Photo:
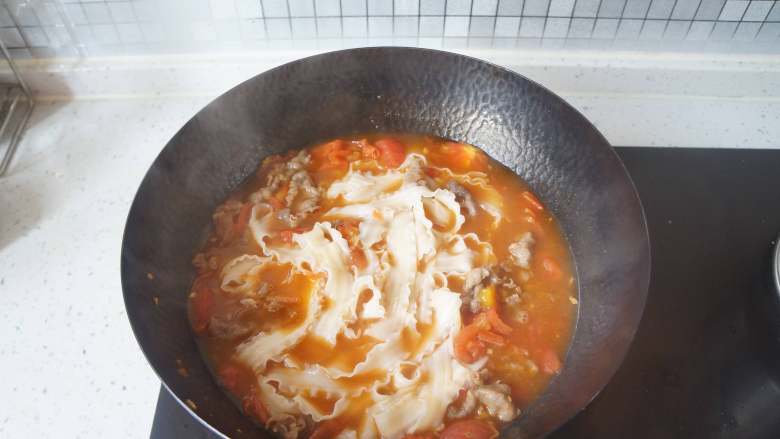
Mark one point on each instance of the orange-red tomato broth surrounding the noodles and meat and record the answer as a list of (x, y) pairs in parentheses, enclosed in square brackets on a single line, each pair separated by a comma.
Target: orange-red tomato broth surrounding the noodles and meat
[(541, 322)]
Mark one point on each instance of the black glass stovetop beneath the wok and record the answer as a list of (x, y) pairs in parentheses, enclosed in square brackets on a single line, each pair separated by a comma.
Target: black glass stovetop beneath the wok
[(704, 363)]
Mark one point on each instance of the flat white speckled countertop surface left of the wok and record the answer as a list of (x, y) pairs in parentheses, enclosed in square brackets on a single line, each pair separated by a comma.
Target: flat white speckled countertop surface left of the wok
[(70, 364)]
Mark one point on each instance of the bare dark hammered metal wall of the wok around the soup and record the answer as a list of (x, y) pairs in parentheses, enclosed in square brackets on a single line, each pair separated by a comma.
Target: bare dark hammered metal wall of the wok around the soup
[(518, 122)]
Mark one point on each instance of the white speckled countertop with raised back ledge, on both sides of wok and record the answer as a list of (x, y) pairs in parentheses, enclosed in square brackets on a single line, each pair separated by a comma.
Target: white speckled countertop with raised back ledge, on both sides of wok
[(70, 363)]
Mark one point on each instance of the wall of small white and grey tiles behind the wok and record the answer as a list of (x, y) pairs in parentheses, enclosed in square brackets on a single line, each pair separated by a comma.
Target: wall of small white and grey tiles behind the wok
[(54, 27)]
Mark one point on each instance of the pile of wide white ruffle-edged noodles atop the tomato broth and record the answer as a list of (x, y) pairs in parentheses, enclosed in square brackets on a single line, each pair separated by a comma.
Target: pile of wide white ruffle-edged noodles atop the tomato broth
[(410, 237)]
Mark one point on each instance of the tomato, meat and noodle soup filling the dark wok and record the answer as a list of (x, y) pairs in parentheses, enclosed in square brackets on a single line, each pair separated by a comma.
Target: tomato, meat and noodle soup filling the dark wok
[(384, 286)]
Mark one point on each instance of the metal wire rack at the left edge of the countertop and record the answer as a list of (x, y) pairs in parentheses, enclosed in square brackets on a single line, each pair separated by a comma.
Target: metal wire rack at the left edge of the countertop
[(15, 110)]
